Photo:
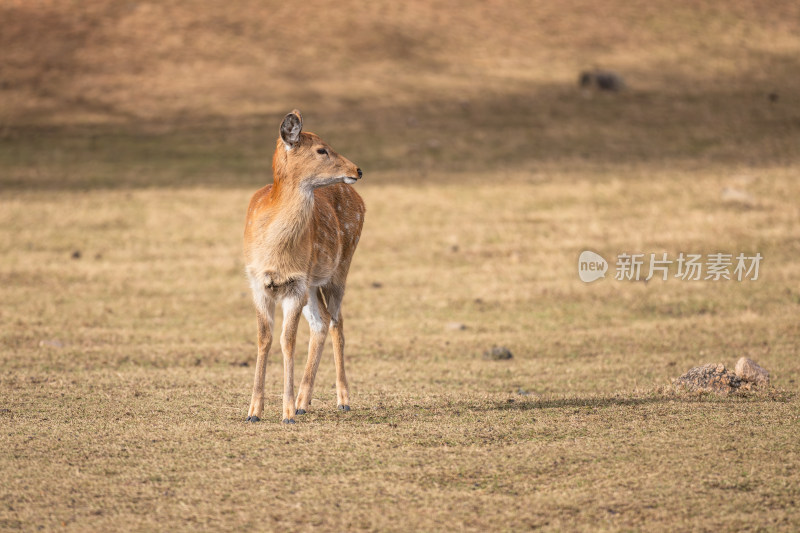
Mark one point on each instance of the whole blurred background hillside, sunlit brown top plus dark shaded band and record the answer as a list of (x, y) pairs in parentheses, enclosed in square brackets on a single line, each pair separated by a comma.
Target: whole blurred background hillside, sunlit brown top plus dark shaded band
[(185, 92)]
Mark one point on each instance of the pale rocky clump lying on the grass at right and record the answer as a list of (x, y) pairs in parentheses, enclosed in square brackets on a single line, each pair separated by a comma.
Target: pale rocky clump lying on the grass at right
[(748, 375)]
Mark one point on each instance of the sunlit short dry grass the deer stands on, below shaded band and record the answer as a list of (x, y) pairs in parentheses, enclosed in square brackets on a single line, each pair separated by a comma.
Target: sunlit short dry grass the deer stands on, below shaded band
[(124, 387)]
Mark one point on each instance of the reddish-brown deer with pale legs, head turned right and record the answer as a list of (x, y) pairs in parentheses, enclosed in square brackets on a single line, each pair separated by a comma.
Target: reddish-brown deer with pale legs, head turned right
[(299, 239)]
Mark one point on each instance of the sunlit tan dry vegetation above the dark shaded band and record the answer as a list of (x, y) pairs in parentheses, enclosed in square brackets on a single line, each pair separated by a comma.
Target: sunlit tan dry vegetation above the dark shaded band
[(100, 60)]
